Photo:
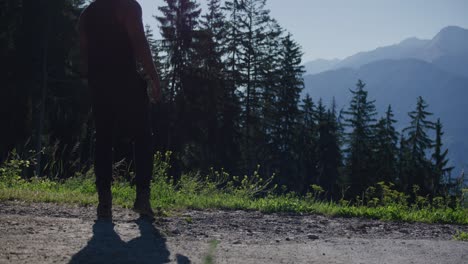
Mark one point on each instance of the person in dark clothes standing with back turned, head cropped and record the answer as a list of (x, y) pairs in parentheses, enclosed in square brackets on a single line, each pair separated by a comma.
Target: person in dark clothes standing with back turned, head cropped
[(112, 40)]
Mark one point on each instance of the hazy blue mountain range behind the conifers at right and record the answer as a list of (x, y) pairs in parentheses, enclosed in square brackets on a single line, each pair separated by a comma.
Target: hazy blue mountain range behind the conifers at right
[(436, 69)]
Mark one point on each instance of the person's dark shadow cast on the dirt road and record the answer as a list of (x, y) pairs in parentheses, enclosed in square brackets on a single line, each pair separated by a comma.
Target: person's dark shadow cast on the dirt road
[(106, 246)]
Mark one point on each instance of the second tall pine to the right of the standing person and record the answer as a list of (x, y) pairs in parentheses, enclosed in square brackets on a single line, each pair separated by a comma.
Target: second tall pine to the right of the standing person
[(213, 51)]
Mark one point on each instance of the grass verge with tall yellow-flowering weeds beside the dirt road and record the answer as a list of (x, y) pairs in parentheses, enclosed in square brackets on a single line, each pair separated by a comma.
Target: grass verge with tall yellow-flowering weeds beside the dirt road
[(217, 191)]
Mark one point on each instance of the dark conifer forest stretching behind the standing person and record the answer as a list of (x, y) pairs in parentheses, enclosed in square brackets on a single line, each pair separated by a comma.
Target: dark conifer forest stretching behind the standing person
[(232, 80)]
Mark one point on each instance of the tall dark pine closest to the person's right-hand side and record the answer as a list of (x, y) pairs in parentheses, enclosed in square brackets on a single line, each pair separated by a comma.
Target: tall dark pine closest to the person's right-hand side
[(178, 25)]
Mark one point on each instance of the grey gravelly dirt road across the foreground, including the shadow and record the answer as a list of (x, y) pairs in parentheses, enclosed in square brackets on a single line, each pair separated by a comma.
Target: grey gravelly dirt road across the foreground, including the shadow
[(49, 233)]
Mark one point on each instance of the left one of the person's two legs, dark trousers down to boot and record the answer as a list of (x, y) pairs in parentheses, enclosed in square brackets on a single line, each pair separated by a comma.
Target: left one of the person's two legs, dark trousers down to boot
[(103, 160)]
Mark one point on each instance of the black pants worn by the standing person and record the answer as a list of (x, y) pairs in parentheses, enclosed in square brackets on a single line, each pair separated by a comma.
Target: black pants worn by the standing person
[(122, 112)]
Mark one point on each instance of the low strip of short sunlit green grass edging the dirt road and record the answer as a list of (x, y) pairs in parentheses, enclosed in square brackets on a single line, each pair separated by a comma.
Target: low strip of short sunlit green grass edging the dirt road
[(190, 195)]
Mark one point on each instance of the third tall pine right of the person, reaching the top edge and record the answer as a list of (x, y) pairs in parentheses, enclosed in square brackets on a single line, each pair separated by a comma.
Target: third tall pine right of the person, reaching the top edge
[(248, 34)]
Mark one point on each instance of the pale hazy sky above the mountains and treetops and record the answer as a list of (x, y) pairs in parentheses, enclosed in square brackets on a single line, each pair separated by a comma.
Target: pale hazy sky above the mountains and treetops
[(339, 28)]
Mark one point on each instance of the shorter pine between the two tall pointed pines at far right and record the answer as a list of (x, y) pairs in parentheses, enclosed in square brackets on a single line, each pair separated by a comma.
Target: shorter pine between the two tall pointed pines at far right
[(386, 150)]
